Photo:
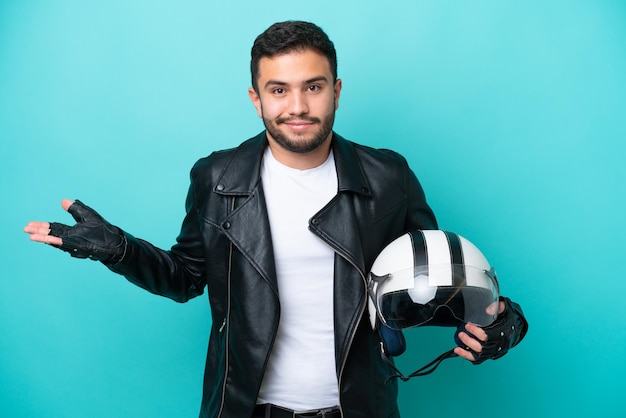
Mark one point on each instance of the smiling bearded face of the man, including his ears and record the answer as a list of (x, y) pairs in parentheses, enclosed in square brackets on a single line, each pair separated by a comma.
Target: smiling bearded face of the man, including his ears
[(297, 100)]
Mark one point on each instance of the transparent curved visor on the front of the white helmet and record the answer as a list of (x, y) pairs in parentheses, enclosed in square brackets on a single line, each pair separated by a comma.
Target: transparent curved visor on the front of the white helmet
[(413, 297)]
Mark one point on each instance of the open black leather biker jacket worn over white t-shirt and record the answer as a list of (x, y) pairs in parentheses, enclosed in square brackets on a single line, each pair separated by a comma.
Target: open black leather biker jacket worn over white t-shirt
[(225, 244)]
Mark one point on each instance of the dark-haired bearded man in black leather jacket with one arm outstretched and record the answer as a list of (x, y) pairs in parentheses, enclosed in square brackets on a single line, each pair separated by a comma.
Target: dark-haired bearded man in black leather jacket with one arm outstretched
[(282, 231)]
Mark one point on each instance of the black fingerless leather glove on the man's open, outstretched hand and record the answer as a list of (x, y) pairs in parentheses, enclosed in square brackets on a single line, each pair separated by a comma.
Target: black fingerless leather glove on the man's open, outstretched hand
[(92, 237)]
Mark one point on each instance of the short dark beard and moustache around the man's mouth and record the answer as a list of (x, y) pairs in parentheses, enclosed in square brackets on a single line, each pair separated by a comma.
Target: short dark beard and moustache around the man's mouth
[(300, 143)]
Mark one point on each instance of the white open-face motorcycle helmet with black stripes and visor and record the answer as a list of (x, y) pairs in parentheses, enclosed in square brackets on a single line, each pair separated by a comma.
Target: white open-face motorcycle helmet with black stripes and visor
[(425, 271)]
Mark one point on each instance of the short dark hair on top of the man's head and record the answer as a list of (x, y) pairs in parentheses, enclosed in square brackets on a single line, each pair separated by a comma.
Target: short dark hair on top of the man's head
[(290, 36)]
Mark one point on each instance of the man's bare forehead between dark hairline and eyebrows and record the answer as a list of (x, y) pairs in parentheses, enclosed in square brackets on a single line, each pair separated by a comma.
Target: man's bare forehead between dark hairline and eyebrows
[(295, 66)]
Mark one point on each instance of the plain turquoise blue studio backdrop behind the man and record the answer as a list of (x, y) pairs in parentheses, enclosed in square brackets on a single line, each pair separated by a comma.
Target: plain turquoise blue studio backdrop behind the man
[(511, 113)]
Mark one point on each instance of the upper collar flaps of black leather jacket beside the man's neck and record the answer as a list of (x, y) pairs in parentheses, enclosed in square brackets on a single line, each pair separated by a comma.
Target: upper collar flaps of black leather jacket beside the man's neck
[(242, 174)]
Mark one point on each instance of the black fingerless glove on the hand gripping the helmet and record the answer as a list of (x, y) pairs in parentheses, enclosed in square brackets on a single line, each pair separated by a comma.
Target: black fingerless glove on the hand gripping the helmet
[(504, 333)]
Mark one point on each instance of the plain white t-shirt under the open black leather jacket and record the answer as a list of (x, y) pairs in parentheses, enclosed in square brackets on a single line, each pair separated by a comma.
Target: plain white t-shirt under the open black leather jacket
[(301, 371)]
